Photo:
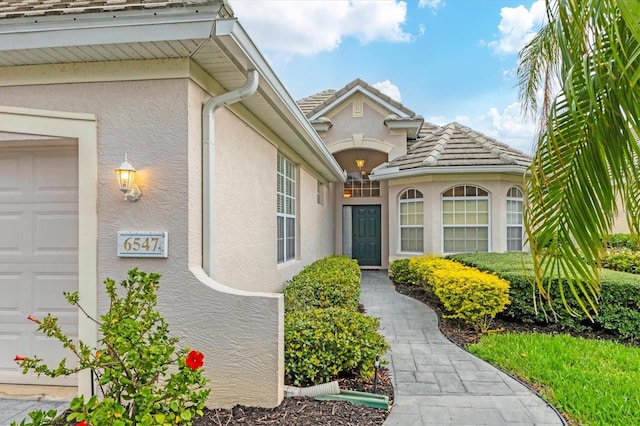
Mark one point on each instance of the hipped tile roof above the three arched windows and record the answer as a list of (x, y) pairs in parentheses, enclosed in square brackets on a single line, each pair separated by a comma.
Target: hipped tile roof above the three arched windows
[(457, 145)]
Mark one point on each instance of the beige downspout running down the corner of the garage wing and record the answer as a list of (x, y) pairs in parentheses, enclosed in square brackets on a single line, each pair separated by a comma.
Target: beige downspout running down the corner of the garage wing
[(208, 163)]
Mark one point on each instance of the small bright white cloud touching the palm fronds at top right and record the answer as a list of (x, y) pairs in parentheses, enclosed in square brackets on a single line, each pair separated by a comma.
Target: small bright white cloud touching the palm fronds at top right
[(517, 27)]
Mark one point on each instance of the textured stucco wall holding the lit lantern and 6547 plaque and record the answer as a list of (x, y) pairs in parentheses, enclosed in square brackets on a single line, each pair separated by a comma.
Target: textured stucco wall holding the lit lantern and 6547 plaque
[(240, 335)]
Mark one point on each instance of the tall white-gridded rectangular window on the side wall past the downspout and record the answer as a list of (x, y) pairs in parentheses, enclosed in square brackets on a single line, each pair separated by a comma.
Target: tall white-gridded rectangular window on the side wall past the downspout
[(286, 216)]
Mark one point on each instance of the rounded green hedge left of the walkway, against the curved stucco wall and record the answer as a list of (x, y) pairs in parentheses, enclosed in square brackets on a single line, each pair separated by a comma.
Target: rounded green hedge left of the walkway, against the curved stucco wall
[(325, 334)]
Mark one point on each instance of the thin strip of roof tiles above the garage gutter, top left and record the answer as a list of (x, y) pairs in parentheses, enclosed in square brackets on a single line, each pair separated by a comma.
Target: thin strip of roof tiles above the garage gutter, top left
[(32, 8)]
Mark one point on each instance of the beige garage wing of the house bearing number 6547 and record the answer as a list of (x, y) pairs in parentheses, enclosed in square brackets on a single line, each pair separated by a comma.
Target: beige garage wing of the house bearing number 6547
[(234, 180)]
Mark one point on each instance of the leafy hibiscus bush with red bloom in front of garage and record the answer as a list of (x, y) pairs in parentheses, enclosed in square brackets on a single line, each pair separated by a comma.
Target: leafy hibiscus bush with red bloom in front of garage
[(131, 364)]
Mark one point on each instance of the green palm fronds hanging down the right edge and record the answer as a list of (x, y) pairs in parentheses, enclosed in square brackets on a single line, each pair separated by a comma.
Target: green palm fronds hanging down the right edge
[(588, 147)]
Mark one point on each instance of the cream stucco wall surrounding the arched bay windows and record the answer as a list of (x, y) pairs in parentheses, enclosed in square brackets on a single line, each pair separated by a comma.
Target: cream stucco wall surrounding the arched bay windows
[(432, 187)]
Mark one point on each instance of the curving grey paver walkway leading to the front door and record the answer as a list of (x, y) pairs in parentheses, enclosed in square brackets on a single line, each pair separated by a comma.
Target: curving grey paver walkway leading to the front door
[(436, 382)]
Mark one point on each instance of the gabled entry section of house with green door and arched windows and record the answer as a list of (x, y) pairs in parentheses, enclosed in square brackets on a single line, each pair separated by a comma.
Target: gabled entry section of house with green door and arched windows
[(413, 187)]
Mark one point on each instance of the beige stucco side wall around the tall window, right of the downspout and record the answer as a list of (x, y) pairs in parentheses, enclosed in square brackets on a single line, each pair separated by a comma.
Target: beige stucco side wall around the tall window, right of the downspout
[(245, 225)]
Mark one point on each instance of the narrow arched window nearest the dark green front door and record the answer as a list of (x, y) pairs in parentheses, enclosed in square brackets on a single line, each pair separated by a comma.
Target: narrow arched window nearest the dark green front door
[(411, 221)]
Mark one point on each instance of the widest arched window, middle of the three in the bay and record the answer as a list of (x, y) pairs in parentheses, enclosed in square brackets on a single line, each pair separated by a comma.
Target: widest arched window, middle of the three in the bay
[(465, 219)]
